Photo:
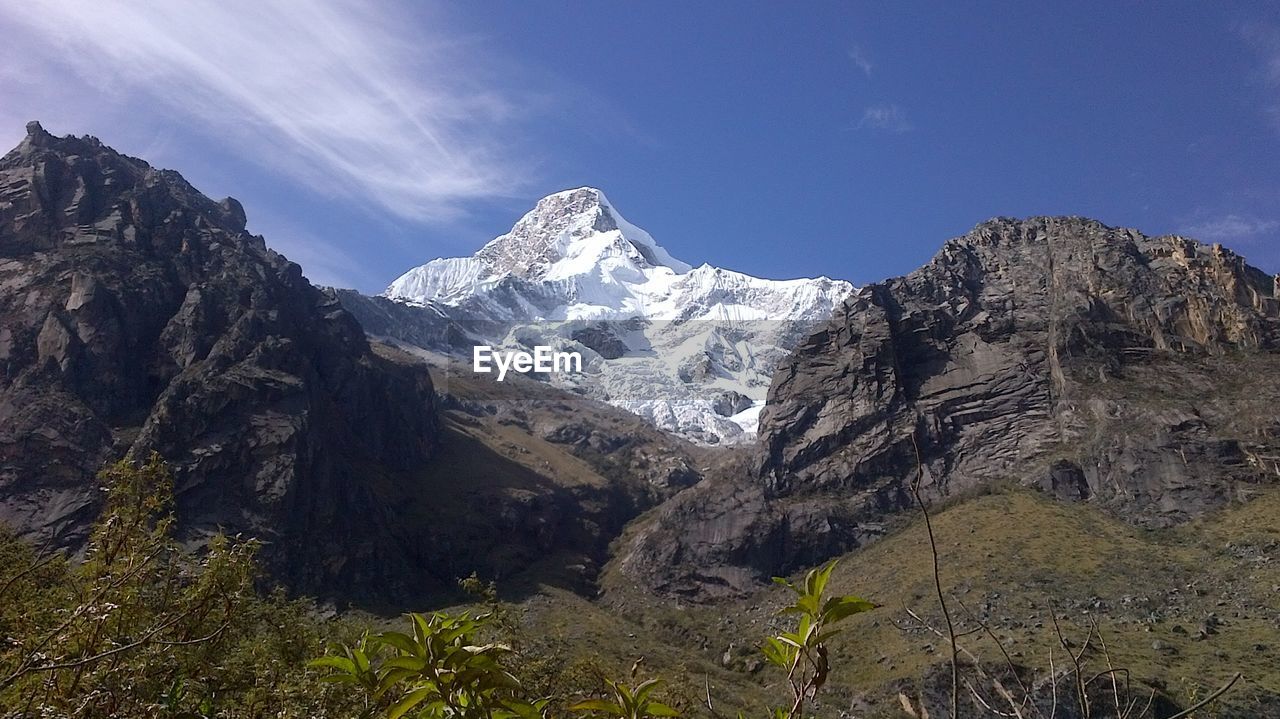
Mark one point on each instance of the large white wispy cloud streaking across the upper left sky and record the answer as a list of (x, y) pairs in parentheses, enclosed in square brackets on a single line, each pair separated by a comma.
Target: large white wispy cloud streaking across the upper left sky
[(350, 99)]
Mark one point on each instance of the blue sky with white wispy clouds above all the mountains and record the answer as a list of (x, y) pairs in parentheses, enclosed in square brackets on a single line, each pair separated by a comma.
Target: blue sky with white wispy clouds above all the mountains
[(776, 139)]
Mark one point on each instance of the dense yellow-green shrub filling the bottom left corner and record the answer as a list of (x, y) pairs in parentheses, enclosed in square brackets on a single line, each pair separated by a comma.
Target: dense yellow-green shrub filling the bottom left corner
[(144, 629)]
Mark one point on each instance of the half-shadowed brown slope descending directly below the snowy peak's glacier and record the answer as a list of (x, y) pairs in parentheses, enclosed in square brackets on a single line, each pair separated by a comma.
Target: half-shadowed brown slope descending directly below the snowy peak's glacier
[(533, 484)]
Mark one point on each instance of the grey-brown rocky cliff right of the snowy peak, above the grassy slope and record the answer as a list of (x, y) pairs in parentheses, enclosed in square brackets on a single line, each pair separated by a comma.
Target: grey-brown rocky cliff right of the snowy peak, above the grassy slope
[(1094, 363)]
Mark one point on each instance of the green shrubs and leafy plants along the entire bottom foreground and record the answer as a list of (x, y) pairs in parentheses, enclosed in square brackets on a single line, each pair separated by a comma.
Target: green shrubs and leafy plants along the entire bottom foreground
[(143, 629)]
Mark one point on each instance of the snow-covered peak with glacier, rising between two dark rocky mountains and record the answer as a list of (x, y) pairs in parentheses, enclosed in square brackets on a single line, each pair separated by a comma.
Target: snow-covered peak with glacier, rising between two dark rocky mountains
[(692, 350)]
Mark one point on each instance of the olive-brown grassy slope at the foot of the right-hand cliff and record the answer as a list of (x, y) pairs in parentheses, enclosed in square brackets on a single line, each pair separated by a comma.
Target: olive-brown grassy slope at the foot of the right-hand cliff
[(1007, 557)]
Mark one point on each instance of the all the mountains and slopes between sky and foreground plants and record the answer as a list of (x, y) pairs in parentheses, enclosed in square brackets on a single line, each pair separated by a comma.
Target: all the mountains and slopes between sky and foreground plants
[(1089, 414)]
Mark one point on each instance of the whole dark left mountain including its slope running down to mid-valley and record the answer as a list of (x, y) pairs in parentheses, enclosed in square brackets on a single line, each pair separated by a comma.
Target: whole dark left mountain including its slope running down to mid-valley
[(139, 315)]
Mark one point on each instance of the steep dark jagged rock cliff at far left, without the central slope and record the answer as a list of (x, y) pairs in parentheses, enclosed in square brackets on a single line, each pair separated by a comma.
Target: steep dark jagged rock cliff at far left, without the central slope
[(138, 315)]
